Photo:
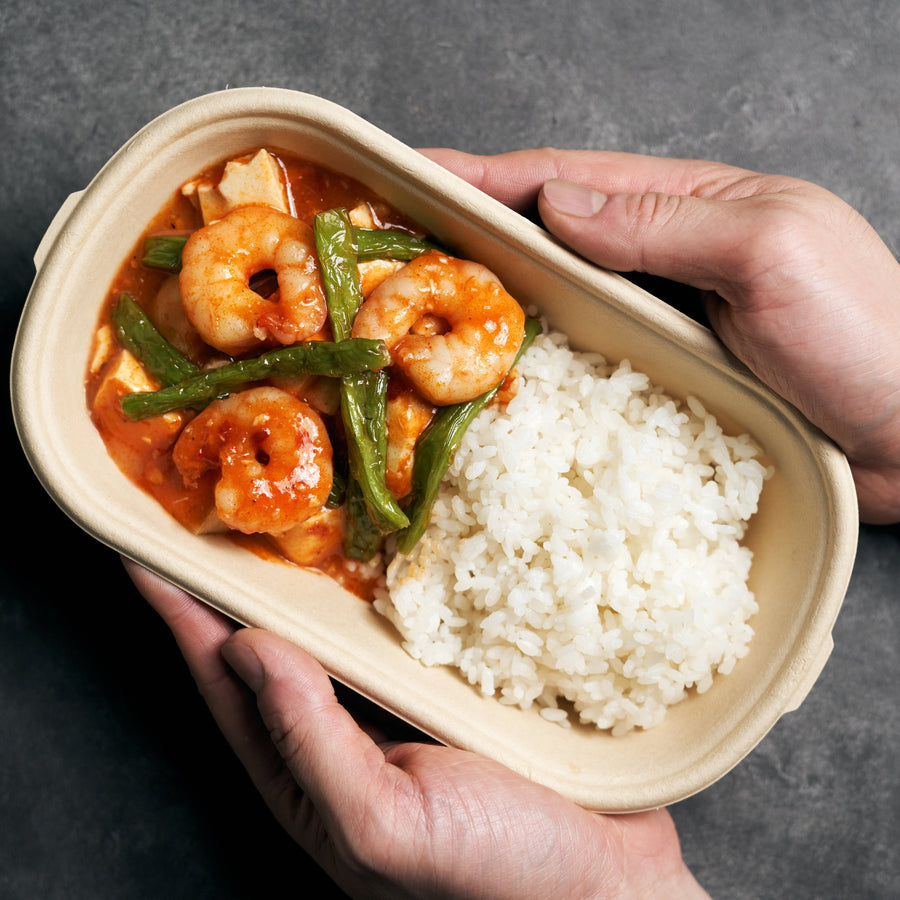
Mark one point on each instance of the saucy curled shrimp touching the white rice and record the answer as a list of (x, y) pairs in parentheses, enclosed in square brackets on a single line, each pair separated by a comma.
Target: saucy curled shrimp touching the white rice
[(485, 323)]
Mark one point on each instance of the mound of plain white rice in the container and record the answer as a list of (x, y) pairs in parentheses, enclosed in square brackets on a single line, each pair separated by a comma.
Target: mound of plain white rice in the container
[(584, 553)]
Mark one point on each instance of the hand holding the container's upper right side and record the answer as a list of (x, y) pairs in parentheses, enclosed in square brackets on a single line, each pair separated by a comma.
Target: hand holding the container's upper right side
[(797, 284)]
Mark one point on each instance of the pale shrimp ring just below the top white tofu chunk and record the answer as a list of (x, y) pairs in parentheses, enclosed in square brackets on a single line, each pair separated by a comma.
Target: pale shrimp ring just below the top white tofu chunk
[(217, 263)]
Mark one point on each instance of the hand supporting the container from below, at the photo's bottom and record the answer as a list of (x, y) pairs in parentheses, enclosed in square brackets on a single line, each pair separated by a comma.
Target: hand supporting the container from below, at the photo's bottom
[(389, 818)]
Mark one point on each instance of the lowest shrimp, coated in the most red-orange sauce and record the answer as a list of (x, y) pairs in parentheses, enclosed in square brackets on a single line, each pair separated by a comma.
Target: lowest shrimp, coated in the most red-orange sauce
[(271, 453)]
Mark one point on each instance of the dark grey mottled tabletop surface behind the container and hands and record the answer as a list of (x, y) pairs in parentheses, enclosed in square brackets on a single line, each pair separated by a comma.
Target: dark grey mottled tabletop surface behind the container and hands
[(113, 782)]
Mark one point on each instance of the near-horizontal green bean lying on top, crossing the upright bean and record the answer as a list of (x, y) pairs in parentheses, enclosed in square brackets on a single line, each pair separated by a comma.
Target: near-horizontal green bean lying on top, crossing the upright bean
[(312, 358)]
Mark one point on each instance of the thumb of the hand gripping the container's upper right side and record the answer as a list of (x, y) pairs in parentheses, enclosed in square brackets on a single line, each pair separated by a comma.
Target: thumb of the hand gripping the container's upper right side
[(686, 239)]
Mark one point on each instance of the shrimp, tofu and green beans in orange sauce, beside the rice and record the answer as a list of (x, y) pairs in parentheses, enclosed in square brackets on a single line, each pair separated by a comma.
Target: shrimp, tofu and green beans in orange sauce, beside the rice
[(287, 360)]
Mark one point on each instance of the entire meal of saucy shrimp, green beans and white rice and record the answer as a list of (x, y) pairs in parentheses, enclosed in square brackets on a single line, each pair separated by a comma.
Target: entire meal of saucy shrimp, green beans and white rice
[(288, 363)]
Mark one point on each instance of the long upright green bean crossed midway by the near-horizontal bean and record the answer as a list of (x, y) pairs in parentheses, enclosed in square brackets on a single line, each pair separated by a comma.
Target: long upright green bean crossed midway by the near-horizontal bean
[(363, 396)]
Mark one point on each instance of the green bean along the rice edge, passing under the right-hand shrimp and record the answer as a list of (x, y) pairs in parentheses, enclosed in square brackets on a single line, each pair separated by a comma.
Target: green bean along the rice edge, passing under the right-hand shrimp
[(435, 449)]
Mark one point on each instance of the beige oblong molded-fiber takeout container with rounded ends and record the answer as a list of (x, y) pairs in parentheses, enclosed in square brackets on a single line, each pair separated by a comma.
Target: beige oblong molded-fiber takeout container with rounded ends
[(803, 537)]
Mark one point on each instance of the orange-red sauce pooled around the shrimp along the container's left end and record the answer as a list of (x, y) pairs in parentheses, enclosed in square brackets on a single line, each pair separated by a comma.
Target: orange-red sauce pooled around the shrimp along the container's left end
[(142, 449)]
